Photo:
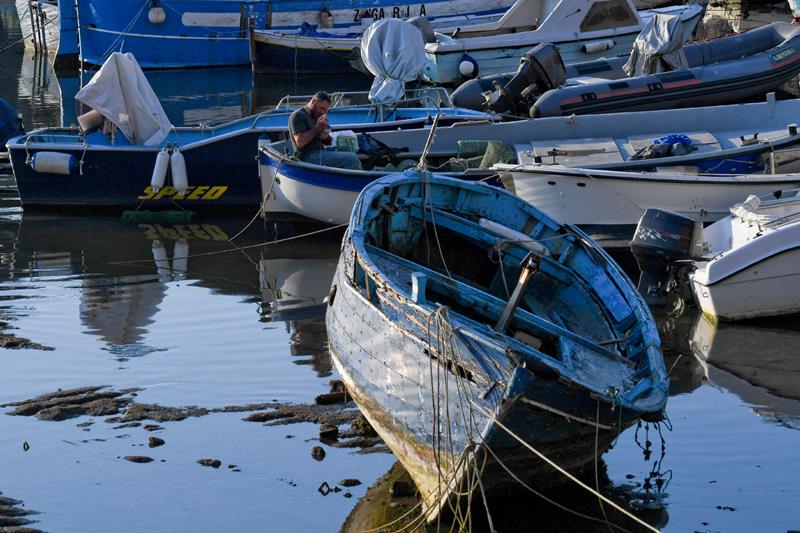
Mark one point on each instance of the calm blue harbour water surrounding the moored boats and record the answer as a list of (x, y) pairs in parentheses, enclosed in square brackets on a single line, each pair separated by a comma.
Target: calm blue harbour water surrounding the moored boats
[(246, 325)]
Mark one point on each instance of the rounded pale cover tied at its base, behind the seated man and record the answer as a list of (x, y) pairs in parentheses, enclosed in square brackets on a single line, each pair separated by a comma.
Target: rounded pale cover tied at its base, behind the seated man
[(394, 51)]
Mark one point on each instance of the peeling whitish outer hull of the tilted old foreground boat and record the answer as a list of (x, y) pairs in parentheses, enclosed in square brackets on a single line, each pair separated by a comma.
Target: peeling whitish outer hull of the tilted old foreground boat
[(394, 393)]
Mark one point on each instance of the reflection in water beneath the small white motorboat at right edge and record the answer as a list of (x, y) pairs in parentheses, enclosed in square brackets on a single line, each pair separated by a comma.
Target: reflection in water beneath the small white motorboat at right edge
[(759, 364)]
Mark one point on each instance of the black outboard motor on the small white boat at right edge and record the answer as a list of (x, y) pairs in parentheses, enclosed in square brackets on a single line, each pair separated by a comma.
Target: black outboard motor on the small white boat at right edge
[(663, 241)]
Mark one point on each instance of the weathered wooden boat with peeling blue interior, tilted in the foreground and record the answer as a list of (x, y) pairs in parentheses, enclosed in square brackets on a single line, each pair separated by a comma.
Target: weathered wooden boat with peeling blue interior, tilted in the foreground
[(465, 322)]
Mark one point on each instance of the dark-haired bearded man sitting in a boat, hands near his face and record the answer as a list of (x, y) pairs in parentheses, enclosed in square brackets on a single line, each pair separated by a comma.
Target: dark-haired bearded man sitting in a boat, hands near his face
[(309, 131)]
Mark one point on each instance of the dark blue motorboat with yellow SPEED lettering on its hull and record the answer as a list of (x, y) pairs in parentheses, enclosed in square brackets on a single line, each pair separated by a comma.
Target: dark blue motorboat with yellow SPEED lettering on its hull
[(94, 169)]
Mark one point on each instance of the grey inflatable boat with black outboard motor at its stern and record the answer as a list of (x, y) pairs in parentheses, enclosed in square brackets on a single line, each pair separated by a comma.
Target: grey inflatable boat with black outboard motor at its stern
[(725, 70)]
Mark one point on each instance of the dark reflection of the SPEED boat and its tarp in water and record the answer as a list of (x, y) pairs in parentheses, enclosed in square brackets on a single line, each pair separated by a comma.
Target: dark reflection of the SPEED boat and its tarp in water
[(124, 269)]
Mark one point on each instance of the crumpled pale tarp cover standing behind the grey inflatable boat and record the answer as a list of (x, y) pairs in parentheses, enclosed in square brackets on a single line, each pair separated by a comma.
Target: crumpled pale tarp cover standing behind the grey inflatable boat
[(658, 47)]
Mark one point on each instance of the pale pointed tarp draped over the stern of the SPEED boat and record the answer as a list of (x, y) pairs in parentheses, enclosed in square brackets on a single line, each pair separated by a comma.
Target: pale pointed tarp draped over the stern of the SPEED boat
[(120, 92)]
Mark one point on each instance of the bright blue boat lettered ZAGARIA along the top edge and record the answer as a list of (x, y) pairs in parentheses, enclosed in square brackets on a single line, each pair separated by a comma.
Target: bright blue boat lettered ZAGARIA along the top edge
[(197, 33)]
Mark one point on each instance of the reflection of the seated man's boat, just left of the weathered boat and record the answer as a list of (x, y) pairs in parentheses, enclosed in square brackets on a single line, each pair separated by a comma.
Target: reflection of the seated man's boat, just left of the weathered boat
[(295, 277)]
